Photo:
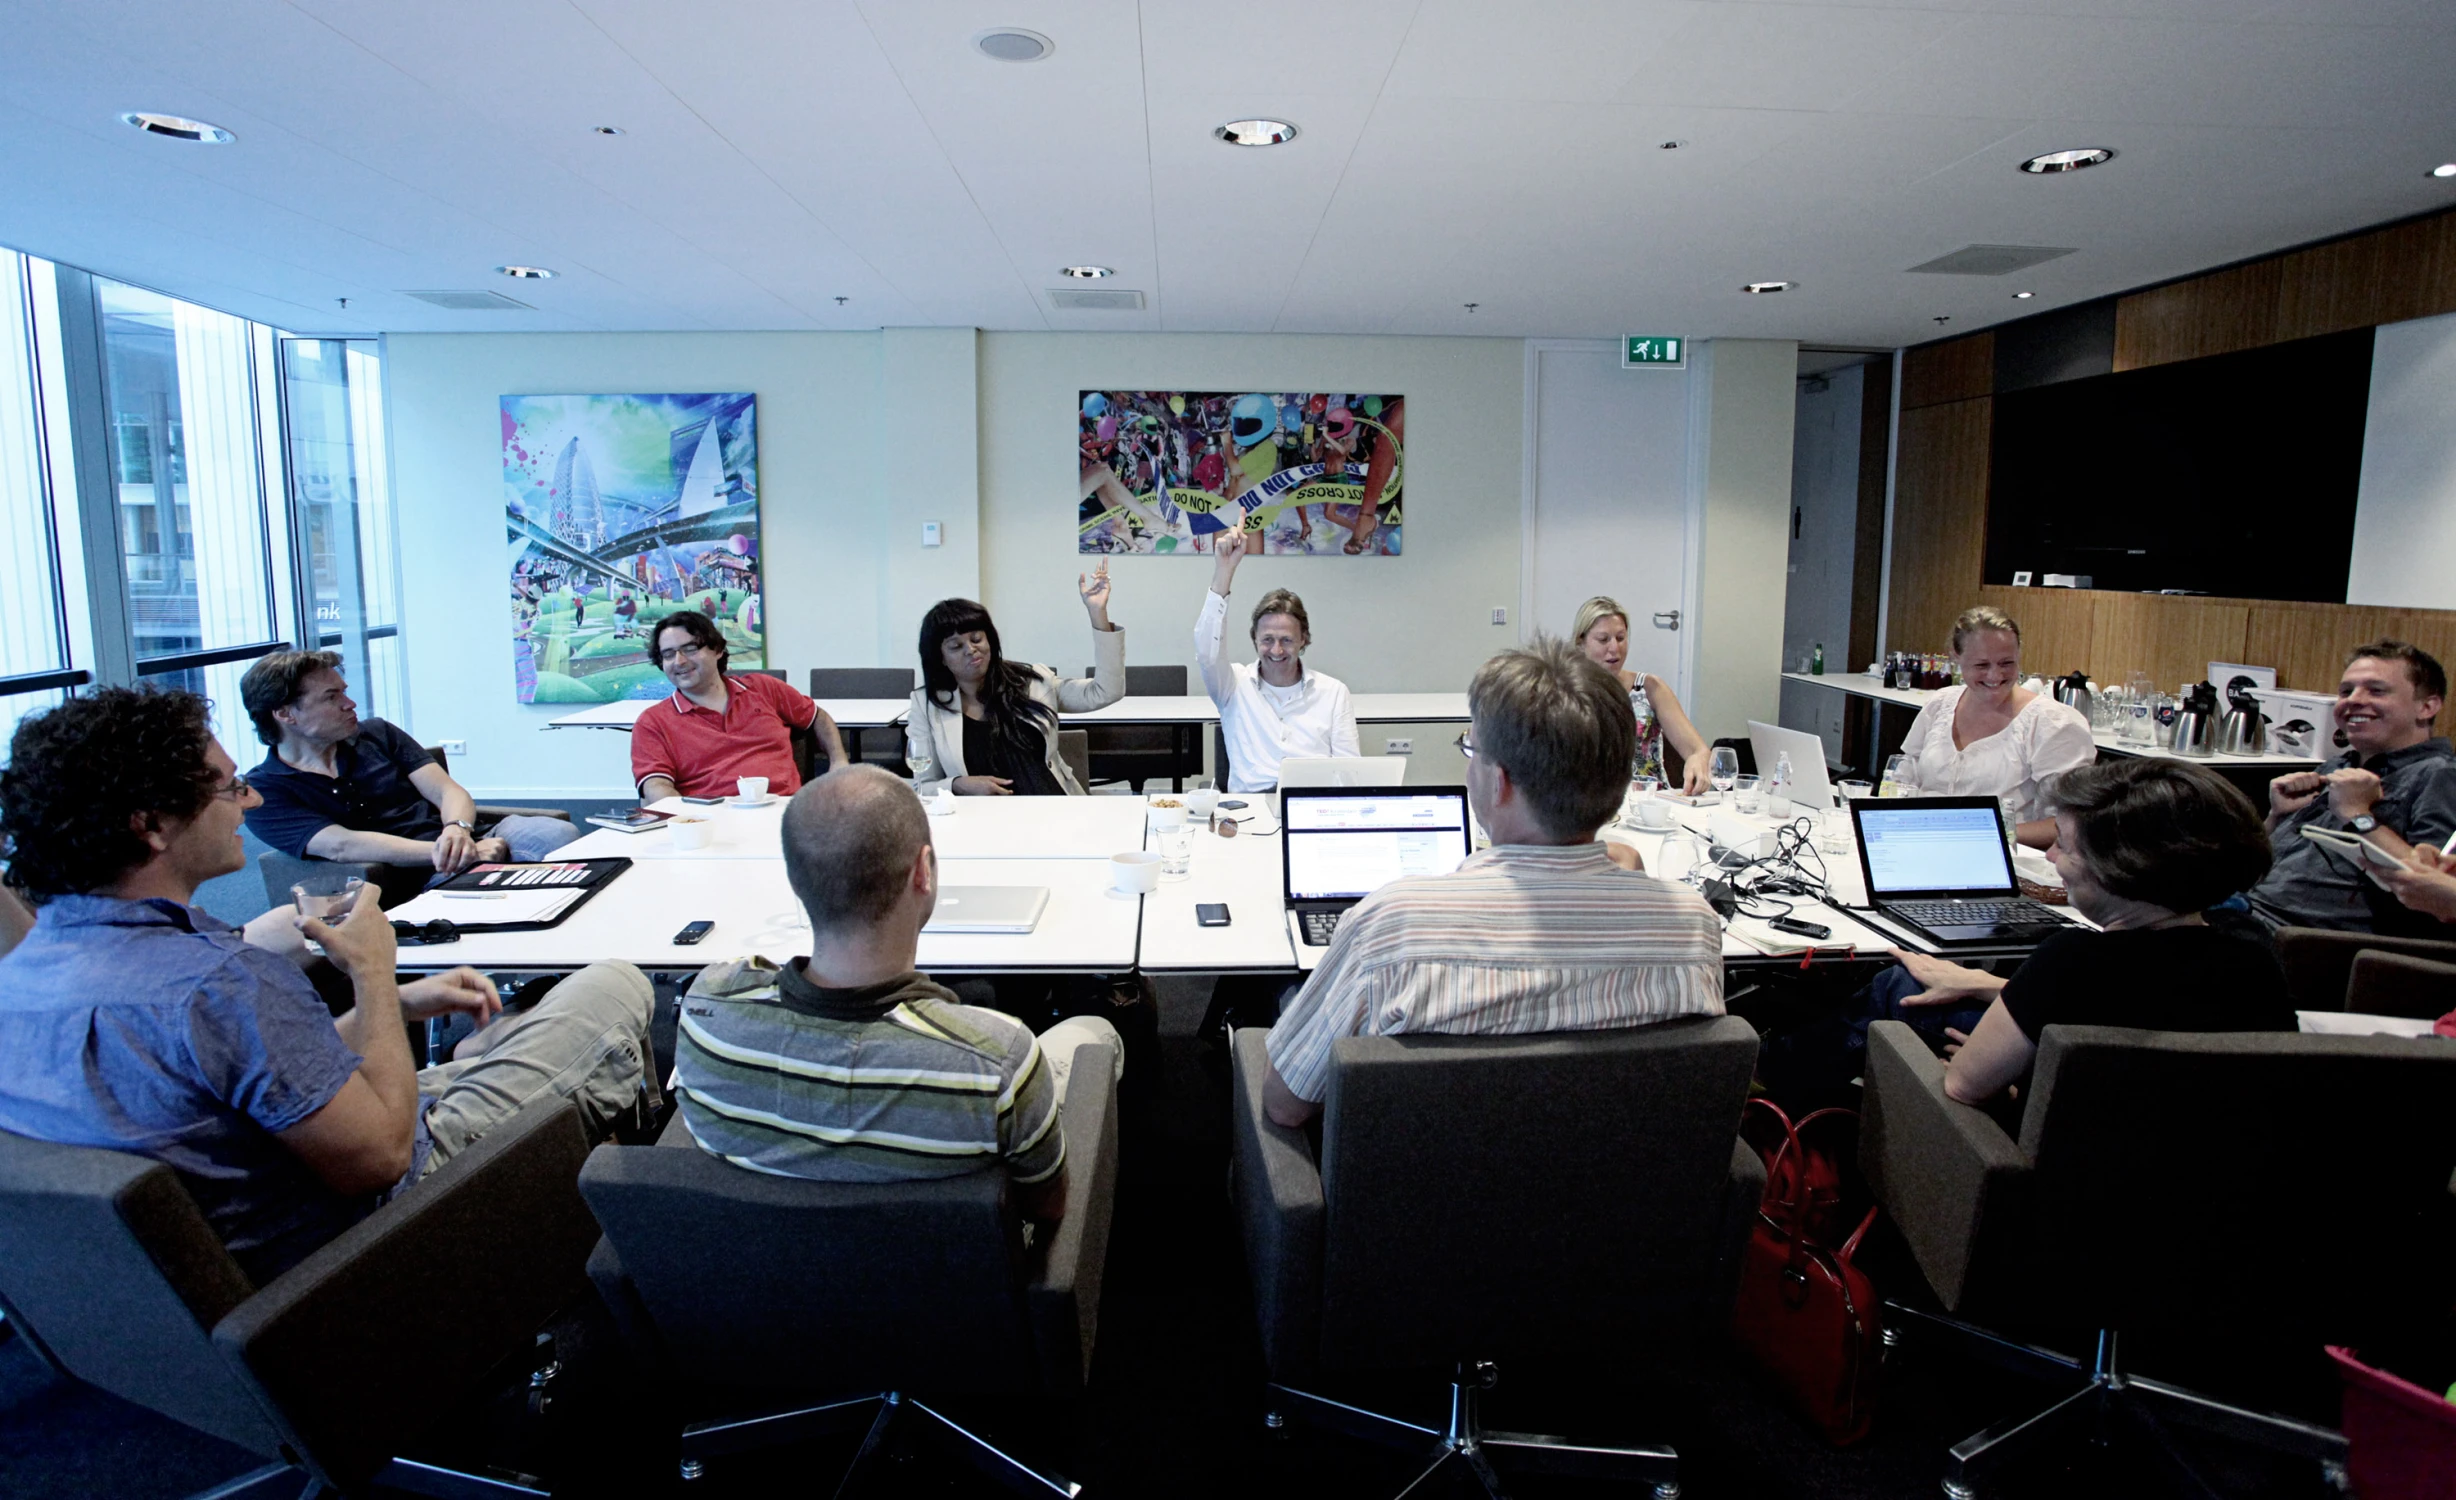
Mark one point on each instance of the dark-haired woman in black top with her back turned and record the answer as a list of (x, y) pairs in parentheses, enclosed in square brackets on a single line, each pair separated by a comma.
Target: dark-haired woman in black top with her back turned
[(2145, 851)]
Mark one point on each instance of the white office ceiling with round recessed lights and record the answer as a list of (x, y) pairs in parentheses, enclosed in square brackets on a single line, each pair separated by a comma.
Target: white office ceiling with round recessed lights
[(782, 156)]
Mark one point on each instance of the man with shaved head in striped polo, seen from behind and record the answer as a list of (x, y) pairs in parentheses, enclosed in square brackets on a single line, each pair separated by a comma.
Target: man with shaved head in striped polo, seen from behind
[(851, 1064)]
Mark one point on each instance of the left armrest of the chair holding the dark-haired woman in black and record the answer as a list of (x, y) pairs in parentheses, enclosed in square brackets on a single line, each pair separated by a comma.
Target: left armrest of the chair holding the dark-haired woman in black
[(1949, 1175)]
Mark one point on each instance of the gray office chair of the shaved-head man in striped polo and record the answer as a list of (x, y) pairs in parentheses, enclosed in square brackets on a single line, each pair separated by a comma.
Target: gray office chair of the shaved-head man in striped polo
[(853, 1300)]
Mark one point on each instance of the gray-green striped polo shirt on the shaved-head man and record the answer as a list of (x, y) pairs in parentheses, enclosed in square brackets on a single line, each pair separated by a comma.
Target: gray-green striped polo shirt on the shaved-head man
[(861, 1086)]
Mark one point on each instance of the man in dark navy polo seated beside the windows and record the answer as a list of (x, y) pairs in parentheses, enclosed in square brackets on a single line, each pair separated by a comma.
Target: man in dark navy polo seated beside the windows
[(338, 787)]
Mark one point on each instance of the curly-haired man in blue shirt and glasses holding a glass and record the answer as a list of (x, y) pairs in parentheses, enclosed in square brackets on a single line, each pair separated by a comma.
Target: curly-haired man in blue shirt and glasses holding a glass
[(136, 1023)]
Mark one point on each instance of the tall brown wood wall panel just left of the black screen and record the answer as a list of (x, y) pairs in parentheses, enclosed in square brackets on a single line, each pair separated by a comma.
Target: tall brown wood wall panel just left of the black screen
[(1939, 522)]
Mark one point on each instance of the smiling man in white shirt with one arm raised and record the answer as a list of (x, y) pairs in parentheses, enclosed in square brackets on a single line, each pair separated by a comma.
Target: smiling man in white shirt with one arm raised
[(1273, 708)]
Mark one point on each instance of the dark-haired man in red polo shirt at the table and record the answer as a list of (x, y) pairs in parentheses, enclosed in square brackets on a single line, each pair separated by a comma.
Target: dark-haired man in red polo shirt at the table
[(716, 728)]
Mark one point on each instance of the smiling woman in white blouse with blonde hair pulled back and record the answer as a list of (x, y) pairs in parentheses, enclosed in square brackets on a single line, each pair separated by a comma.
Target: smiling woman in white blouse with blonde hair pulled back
[(1991, 738)]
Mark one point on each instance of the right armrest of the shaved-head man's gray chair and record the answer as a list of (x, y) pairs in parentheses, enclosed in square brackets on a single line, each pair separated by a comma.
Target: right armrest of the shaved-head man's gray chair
[(1065, 1295)]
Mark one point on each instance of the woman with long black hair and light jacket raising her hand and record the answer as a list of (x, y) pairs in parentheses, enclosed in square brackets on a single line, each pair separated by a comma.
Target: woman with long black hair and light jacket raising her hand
[(989, 725)]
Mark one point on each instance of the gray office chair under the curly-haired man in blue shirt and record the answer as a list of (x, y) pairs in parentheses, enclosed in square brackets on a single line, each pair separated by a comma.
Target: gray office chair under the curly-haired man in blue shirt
[(338, 1364)]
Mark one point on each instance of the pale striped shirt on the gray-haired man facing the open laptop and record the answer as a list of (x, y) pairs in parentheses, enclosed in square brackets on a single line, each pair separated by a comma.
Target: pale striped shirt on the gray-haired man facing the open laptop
[(1519, 939)]
